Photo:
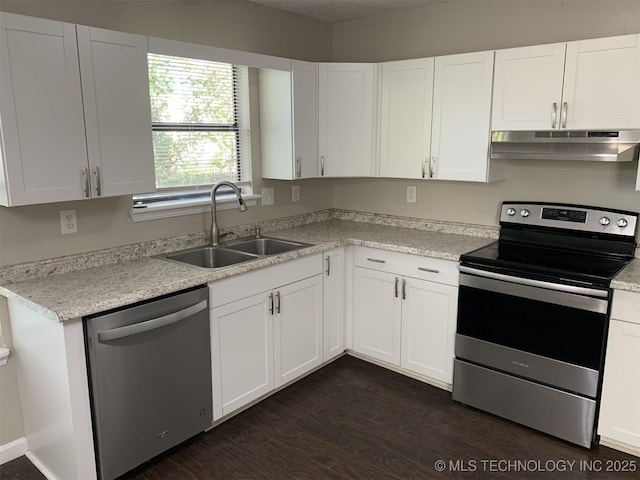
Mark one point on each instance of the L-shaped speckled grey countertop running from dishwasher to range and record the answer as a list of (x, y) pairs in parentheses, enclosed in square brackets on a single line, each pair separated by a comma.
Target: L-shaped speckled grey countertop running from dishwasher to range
[(75, 294)]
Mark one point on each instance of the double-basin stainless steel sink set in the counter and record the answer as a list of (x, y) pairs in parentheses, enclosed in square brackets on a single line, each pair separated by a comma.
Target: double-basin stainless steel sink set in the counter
[(233, 252)]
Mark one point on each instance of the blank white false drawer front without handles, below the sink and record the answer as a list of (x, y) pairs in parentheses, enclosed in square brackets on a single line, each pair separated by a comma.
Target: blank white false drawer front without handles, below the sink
[(246, 284)]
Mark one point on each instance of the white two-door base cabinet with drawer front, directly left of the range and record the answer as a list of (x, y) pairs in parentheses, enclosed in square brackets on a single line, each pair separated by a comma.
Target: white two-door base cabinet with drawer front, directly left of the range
[(404, 311)]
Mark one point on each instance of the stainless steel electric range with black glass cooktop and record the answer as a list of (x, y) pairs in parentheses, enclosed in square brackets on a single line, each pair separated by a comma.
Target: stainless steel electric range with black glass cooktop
[(533, 315)]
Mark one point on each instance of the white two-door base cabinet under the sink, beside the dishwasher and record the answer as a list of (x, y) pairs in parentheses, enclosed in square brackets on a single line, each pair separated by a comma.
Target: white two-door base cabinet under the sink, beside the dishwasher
[(266, 330)]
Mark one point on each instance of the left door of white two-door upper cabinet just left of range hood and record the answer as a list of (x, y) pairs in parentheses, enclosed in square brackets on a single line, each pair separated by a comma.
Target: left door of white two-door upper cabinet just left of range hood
[(405, 131)]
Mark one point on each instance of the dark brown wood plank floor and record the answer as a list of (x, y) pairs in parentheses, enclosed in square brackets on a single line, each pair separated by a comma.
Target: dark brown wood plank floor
[(354, 420)]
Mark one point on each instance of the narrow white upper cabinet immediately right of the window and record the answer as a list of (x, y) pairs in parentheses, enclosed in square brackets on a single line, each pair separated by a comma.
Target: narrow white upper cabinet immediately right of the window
[(289, 122)]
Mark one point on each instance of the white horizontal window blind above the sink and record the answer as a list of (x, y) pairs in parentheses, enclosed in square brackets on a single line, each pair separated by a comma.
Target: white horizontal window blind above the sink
[(200, 119)]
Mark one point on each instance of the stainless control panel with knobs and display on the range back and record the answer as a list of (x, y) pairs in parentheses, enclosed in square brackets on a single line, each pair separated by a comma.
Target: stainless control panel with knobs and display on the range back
[(571, 217)]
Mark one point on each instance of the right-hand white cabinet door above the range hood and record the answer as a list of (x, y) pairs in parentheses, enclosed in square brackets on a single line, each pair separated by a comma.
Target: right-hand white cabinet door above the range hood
[(601, 83)]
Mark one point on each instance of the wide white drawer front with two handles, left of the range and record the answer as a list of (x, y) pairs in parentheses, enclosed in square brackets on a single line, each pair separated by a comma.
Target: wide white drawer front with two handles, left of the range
[(416, 266)]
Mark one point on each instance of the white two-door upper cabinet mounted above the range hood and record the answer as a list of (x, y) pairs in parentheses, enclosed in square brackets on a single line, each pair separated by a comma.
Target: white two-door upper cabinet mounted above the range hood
[(587, 84)]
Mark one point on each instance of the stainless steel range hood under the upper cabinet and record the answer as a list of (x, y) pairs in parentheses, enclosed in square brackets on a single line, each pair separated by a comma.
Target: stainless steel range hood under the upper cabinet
[(599, 146)]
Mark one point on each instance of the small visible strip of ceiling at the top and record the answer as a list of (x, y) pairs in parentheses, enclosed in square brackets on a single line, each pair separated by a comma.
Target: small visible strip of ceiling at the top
[(333, 11)]
